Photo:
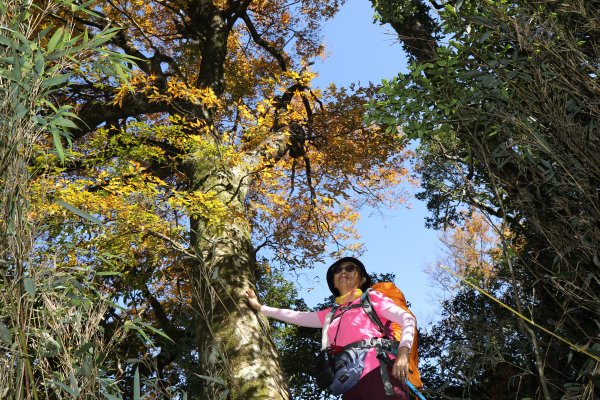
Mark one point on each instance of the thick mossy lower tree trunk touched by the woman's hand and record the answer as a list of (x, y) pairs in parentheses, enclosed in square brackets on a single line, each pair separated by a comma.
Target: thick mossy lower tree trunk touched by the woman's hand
[(236, 351)]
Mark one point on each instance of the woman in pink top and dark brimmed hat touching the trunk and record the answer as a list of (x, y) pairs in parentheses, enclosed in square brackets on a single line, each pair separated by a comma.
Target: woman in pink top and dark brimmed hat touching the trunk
[(347, 278)]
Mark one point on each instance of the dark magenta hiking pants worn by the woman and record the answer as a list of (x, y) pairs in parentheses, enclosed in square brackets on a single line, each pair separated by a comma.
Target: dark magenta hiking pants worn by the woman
[(370, 387)]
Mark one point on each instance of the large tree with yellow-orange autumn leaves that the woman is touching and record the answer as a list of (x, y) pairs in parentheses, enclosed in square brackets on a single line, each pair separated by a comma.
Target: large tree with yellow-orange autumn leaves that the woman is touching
[(218, 147)]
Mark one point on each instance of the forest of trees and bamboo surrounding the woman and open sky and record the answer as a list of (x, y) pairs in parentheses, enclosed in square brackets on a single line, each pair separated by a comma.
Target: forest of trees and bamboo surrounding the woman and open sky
[(158, 158)]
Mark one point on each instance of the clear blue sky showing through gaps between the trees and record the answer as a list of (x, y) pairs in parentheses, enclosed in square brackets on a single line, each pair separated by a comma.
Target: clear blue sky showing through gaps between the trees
[(361, 51)]
